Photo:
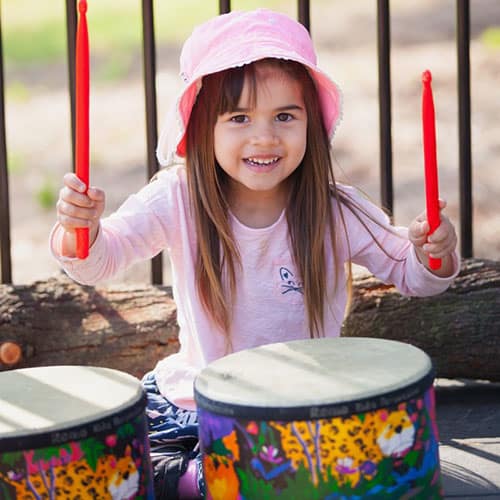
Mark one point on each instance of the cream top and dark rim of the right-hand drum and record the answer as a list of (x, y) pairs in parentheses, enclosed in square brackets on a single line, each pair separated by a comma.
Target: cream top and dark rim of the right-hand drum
[(316, 378)]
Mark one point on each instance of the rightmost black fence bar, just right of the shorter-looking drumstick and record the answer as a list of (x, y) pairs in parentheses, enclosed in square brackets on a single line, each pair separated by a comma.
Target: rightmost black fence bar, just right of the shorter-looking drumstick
[(464, 127)]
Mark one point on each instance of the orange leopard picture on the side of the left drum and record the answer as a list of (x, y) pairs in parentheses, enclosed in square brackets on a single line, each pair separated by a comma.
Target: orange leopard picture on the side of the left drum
[(116, 479)]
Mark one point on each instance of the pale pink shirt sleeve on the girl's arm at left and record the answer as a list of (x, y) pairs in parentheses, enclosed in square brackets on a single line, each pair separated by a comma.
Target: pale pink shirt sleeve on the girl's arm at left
[(138, 230)]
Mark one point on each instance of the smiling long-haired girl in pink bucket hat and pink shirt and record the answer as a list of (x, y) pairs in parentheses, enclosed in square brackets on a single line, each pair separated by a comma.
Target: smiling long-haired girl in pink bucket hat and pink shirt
[(257, 230)]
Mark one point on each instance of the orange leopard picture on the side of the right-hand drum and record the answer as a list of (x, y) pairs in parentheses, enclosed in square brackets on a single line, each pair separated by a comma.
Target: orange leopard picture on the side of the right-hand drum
[(346, 448)]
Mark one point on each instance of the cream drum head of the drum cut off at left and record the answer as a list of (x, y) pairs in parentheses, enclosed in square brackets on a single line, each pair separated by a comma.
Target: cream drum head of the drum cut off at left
[(48, 400)]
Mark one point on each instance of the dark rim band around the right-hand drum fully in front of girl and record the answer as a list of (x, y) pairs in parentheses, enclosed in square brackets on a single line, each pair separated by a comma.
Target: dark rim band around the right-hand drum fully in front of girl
[(323, 410)]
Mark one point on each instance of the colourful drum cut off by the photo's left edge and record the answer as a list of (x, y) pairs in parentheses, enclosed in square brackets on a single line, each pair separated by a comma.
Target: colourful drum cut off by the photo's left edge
[(69, 432)]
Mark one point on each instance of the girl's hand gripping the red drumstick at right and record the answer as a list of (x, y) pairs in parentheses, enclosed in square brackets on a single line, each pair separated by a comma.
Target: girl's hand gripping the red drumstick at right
[(440, 244)]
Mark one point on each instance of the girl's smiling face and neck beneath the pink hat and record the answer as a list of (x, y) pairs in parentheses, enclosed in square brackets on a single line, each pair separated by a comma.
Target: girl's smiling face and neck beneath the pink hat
[(262, 141)]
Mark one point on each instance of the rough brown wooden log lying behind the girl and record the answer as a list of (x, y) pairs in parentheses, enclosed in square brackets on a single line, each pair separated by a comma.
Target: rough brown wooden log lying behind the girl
[(130, 328)]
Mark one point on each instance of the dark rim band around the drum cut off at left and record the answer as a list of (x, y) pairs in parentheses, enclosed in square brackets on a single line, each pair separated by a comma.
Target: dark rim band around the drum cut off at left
[(109, 422)]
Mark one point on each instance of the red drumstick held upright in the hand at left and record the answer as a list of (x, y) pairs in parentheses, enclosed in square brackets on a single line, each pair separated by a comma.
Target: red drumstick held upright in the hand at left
[(82, 118)]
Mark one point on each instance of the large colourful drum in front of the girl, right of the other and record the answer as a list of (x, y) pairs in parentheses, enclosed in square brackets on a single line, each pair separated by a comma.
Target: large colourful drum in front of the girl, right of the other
[(320, 419)]
